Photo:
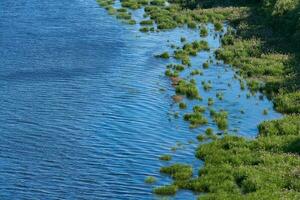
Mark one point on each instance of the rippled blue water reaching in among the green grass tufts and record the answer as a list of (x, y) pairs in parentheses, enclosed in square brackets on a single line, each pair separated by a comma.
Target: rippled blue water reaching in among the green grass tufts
[(82, 112)]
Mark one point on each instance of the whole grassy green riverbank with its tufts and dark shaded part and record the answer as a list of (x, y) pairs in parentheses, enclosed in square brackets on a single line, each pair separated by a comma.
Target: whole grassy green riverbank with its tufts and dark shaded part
[(236, 167)]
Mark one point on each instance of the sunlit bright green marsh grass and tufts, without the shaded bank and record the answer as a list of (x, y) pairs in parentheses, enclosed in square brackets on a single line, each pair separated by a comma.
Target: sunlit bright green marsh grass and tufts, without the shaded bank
[(237, 168)]
